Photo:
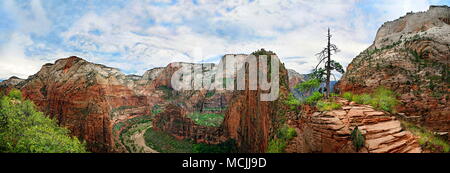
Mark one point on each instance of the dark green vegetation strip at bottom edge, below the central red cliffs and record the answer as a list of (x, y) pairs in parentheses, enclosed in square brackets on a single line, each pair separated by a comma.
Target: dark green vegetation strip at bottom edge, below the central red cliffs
[(228, 146)]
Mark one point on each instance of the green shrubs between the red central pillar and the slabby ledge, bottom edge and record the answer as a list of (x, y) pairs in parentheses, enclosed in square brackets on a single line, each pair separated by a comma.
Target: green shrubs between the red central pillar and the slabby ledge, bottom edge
[(279, 142)]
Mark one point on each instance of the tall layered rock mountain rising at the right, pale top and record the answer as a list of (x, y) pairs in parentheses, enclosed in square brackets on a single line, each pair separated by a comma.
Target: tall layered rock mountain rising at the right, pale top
[(410, 56)]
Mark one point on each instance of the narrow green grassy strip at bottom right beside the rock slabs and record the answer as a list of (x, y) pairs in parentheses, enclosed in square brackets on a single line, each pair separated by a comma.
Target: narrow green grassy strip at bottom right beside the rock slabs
[(427, 139)]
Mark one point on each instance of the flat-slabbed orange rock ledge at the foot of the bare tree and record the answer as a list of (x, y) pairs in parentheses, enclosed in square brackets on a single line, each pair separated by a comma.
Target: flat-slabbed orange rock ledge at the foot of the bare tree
[(330, 132)]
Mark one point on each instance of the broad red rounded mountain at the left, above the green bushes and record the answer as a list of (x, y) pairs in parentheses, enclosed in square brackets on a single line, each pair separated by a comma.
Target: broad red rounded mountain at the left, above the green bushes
[(82, 97)]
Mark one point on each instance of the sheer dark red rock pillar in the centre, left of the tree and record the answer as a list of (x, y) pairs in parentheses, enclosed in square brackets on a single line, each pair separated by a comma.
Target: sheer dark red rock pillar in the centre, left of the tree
[(252, 122)]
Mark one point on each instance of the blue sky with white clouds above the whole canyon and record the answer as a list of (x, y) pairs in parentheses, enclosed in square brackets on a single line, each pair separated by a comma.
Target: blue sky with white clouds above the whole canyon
[(137, 35)]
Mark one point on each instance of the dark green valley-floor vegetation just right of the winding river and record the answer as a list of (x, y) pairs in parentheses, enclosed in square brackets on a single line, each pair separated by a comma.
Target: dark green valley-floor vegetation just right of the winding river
[(166, 143)]
